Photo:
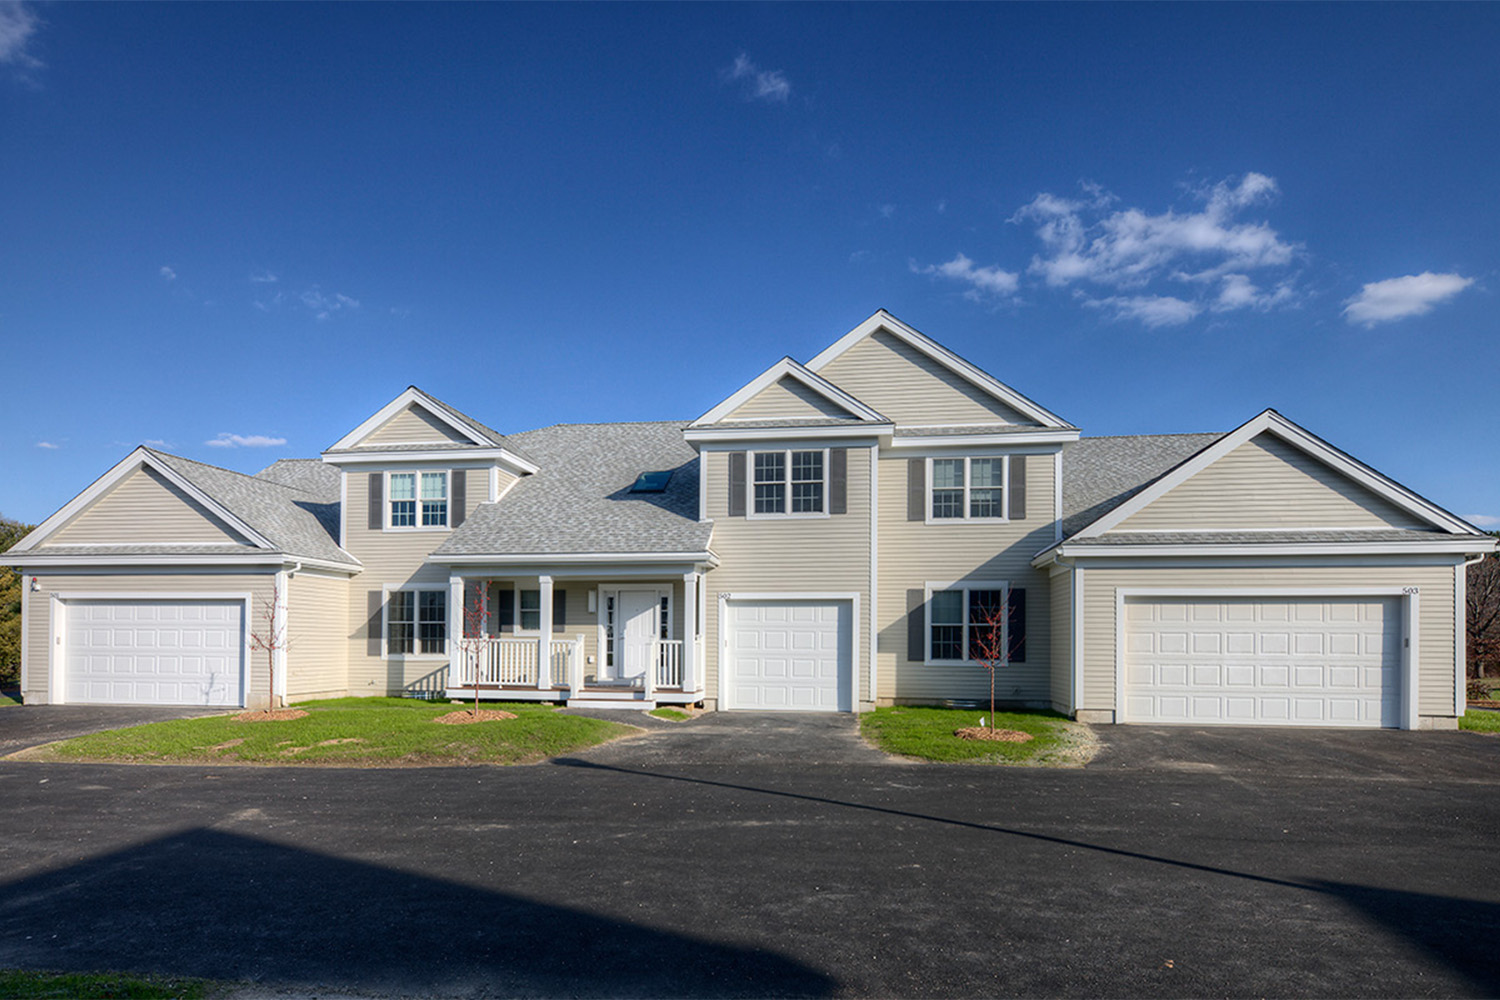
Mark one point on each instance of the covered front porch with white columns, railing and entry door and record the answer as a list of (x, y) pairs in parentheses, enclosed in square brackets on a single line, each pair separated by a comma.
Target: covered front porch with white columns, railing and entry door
[(629, 644)]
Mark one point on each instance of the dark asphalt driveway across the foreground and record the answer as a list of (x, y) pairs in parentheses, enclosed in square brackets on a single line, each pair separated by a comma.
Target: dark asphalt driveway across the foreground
[(679, 875)]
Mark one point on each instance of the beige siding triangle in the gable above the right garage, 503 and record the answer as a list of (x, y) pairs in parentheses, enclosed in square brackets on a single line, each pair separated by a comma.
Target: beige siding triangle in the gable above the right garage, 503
[(1268, 484)]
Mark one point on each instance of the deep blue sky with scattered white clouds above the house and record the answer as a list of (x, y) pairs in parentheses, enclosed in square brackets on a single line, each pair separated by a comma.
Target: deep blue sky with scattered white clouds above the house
[(236, 232)]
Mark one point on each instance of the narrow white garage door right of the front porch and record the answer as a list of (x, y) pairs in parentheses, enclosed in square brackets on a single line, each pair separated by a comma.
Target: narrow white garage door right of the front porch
[(790, 656)]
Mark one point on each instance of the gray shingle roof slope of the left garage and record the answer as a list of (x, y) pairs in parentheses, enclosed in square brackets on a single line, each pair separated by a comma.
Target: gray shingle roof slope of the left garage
[(295, 521)]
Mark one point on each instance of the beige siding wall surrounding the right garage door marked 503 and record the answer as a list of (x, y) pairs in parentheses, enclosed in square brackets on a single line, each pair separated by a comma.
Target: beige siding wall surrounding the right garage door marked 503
[(1435, 614)]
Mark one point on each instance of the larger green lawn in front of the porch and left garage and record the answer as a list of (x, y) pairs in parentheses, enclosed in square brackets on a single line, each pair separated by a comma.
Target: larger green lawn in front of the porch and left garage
[(355, 732)]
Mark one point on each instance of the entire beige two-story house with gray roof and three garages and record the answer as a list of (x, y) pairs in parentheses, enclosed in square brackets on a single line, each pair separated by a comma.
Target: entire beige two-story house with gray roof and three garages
[(833, 536)]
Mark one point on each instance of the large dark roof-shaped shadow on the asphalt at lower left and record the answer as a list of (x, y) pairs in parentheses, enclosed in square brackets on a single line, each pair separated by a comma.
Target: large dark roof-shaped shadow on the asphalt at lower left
[(223, 906)]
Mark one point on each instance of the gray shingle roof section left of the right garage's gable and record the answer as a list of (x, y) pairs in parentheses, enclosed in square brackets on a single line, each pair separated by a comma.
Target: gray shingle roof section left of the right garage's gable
[(1099, 475)]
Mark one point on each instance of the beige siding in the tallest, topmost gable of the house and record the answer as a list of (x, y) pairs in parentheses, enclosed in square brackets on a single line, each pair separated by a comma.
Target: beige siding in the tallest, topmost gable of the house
[(911, 389)]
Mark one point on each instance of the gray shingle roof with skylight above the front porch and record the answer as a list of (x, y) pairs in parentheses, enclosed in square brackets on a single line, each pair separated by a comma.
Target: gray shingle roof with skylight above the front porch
[(581, 500)]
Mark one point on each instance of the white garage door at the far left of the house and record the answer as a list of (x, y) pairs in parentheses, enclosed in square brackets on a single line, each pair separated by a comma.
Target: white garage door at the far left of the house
[(155, 653)]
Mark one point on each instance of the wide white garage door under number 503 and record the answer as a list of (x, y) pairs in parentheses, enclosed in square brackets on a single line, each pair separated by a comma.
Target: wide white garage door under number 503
[(1264, 662)]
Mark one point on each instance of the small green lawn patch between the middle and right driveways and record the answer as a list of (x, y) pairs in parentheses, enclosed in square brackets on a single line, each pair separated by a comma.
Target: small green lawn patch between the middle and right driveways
[(928, 734)]
